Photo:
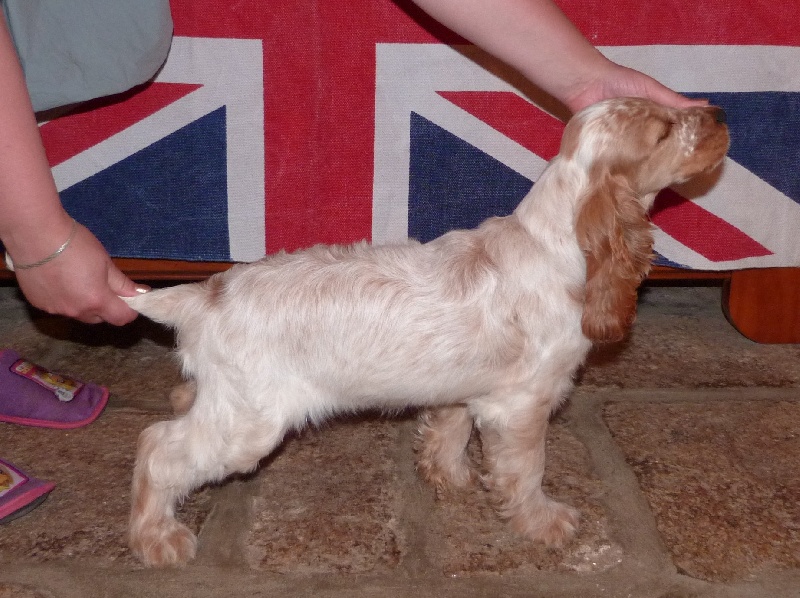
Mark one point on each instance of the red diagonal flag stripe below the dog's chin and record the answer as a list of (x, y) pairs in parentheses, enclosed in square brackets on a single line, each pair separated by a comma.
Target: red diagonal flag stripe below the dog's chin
[(701, 231)]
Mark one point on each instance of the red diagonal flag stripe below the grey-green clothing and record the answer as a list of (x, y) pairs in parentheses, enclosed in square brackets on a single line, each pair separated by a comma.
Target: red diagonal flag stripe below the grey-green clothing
[(97, 120)]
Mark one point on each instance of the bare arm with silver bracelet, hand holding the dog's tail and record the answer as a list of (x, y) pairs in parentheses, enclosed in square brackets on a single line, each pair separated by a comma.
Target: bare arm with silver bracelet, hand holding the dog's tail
[(82, 282)]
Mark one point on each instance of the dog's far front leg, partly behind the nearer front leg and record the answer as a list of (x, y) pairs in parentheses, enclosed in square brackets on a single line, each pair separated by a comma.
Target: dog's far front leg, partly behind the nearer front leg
[(442, 458)]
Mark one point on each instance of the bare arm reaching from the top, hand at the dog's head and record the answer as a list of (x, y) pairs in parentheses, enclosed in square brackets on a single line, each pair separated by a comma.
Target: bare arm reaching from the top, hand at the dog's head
[(537, 39)]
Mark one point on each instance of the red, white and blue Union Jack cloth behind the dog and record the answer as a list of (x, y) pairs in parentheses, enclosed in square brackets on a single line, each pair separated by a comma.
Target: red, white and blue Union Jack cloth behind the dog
[(280, 125)]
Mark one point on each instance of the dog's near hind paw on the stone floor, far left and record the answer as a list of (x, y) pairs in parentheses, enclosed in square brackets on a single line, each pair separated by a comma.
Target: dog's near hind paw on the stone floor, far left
[(166, 544)]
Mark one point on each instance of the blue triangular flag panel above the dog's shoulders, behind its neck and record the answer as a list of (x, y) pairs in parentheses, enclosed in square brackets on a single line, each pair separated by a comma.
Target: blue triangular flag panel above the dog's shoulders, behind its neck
[(452, 184)]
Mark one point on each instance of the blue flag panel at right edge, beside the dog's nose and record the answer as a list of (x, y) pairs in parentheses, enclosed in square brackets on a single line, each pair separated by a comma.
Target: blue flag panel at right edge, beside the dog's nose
[(765, 135)]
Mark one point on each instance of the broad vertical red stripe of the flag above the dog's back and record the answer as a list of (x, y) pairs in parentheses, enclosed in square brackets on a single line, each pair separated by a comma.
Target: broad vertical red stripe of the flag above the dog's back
[(319, 106)]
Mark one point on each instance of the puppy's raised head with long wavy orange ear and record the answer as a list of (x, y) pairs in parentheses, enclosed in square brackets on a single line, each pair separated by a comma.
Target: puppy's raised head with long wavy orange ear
[(628, 149)]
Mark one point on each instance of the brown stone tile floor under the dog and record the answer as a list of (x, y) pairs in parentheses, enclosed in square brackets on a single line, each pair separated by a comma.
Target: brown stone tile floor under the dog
[(680, 448)]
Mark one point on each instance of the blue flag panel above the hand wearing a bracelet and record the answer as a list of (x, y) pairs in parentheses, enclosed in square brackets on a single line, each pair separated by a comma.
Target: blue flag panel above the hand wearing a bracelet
[(168, 200)]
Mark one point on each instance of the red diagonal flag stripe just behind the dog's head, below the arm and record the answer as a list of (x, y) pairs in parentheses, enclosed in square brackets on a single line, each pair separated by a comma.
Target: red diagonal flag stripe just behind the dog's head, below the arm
[(514, 117)]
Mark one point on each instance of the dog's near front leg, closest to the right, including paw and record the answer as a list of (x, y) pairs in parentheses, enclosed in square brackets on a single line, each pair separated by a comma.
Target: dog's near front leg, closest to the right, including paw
[(514, 455)]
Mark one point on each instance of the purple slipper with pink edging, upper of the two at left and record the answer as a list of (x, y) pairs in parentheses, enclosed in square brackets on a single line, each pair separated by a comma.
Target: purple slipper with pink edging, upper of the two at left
[(33, 396)]
